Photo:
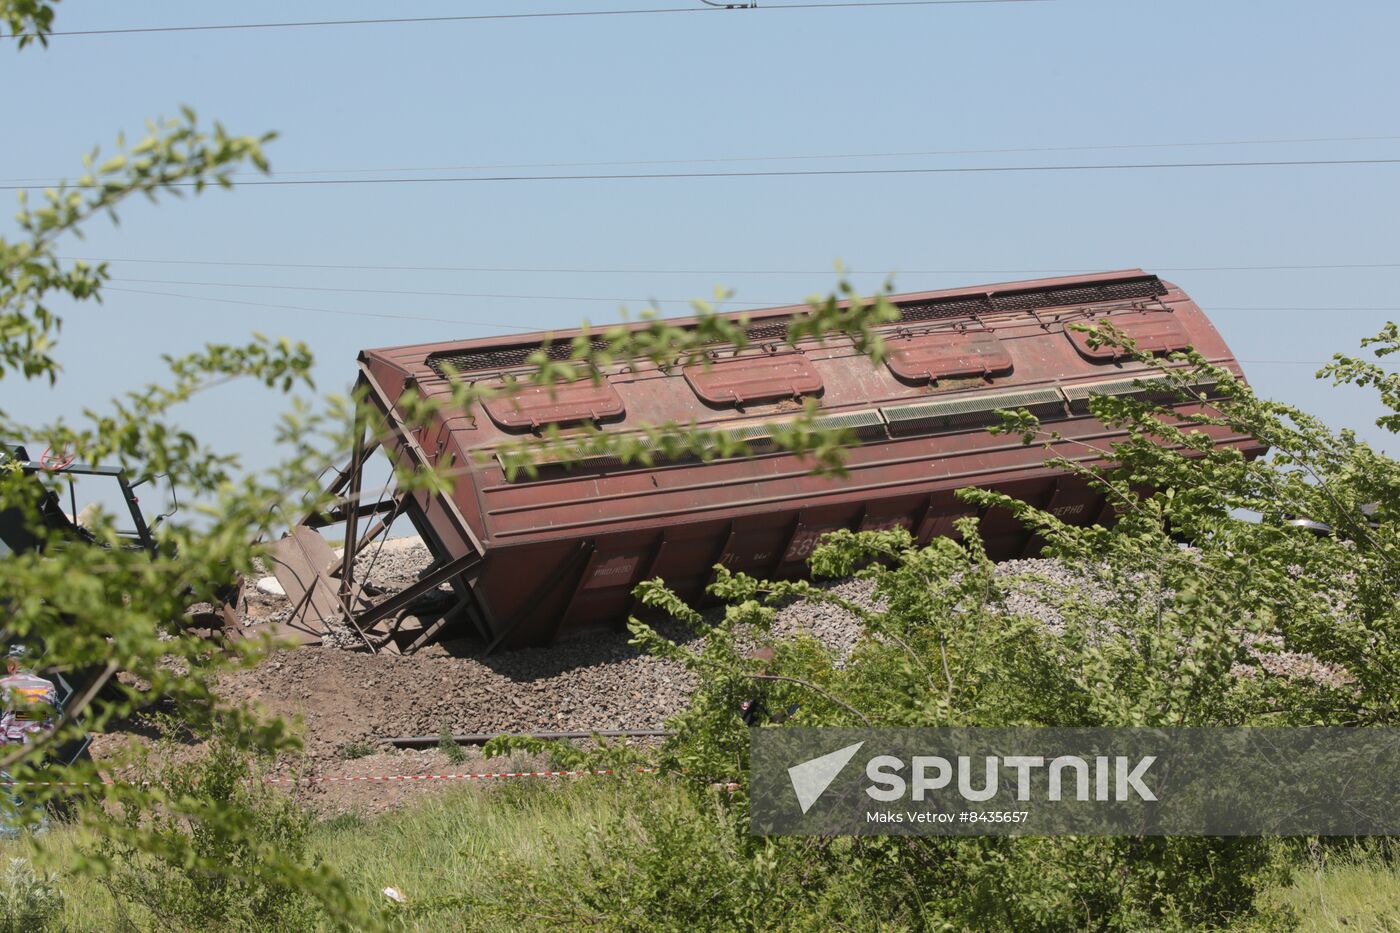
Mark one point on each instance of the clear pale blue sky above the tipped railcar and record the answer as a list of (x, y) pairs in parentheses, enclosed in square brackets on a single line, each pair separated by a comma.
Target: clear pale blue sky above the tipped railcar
[(715, 86)]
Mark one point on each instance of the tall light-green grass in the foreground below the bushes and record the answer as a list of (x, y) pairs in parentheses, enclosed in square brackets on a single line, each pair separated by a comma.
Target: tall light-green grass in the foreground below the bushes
[(460, 857)]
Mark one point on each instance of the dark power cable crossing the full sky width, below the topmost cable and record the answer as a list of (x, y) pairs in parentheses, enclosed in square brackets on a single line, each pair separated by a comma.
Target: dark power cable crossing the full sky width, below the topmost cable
[(815, 173)]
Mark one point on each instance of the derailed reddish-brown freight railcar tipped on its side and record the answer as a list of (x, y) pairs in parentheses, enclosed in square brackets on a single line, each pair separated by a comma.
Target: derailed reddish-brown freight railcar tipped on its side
[(559, 554)]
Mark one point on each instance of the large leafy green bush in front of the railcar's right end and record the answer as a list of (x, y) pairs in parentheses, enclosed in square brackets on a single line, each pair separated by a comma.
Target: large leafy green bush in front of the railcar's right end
[(1156, 635)]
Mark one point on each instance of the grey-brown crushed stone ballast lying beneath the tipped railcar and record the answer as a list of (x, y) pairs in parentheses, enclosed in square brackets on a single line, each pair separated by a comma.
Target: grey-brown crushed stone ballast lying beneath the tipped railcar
[(594, 683)]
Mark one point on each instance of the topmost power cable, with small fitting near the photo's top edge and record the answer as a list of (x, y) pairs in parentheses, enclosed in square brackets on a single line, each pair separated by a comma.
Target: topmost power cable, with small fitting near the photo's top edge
[(576, 15)]
